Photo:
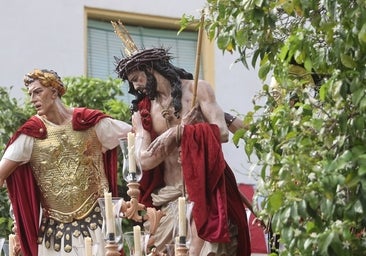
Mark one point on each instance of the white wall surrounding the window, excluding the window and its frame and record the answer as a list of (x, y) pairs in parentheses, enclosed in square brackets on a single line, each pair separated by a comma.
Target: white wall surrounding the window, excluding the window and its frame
[(50, 34)]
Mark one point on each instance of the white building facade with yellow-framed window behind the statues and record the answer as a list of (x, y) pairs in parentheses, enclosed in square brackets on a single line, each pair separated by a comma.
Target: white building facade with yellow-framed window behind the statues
[(75, 38)]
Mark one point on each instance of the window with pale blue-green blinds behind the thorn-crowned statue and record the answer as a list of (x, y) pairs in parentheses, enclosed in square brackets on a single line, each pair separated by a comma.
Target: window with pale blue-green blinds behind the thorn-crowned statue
[(104, 45)]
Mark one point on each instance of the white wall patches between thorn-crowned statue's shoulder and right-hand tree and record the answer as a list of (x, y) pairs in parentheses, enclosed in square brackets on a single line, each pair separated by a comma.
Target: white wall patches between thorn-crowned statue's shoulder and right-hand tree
[(235, 88)]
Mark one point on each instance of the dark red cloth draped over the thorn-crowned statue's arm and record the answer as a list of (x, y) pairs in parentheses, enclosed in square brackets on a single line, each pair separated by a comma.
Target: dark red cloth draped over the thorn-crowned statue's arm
[(211, 185)]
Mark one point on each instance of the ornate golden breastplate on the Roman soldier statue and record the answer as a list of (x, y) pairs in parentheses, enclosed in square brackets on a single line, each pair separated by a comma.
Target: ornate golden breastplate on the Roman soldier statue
[(68, 168)]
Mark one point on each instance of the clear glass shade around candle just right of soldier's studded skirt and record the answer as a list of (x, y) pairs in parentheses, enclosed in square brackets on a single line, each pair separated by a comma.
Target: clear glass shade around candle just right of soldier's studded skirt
[(117, 236)]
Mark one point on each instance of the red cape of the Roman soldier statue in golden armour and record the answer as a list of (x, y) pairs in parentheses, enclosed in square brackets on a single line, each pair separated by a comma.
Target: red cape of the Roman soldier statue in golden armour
[(23, 191)]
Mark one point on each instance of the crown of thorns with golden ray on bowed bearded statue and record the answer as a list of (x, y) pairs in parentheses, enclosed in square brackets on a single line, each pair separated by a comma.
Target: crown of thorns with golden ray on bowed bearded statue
[(134, 57)]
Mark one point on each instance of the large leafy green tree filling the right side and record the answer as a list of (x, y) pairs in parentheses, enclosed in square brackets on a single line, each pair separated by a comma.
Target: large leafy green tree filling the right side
[(308, 136)]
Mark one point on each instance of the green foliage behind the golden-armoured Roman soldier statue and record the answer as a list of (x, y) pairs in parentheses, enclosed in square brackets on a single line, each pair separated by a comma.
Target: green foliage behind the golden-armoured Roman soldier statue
[(81, 92)]
